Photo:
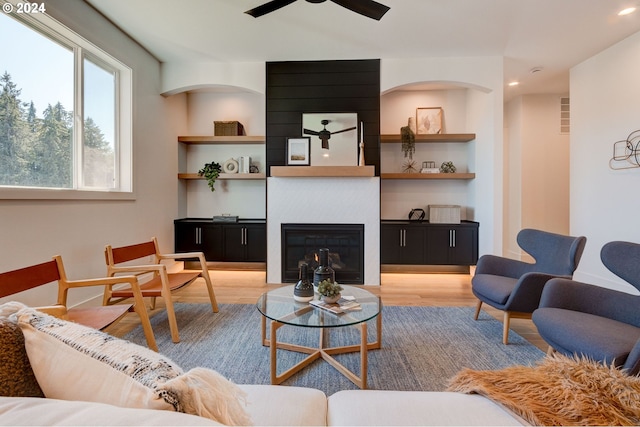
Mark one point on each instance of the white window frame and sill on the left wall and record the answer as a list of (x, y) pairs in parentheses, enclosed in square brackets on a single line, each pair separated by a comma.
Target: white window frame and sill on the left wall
[(123, 132)]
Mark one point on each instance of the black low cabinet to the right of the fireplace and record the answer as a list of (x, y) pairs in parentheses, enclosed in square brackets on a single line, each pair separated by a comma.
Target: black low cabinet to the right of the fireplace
[(423, 243)]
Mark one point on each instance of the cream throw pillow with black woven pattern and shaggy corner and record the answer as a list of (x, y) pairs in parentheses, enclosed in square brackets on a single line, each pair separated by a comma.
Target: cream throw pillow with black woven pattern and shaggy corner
[(74, 362)]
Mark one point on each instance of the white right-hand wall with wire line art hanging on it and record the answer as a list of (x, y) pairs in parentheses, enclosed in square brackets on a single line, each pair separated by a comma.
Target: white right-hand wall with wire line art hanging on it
[(604, 109)]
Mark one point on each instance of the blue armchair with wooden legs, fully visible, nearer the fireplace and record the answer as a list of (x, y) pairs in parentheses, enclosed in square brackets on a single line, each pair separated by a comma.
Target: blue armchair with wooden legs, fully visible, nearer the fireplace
[(515, 286)]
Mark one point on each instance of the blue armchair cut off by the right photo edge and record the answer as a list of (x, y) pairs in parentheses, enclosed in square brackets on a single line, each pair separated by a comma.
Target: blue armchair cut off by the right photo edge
[(589, 320)]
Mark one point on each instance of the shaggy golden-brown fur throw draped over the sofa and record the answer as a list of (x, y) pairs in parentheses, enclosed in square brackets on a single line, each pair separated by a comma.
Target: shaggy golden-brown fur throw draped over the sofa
[(559, 391)]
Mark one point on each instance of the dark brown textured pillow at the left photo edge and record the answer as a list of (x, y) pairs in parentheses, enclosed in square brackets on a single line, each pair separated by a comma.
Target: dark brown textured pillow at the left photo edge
[(16, 376)]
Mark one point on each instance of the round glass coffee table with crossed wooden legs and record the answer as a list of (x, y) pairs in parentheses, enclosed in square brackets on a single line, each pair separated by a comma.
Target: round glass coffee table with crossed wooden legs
[(281, 309)]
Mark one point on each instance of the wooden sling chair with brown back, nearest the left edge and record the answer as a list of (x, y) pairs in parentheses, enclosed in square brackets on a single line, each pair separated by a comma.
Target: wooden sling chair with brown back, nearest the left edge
[(99, 317)]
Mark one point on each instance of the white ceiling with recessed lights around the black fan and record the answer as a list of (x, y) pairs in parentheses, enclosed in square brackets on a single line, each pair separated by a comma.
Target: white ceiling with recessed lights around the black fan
[(552, 34)]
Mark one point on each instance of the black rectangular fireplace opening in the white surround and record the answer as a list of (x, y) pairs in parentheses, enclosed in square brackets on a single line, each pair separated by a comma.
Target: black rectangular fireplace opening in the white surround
[(302, 242)]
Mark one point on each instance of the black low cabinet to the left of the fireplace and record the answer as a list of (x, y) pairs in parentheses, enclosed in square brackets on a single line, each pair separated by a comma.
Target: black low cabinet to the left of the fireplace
[(242, 241)]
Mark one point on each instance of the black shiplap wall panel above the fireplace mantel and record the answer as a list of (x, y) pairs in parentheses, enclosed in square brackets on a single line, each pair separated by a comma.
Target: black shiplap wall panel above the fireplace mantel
[(293, 88)]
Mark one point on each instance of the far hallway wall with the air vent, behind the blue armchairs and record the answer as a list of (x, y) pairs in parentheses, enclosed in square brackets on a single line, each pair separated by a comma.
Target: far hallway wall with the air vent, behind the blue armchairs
[(537, 170)]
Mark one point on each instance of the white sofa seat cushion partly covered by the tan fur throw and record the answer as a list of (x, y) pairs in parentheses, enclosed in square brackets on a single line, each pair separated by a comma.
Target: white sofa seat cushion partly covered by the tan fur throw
[(418, 408)]
